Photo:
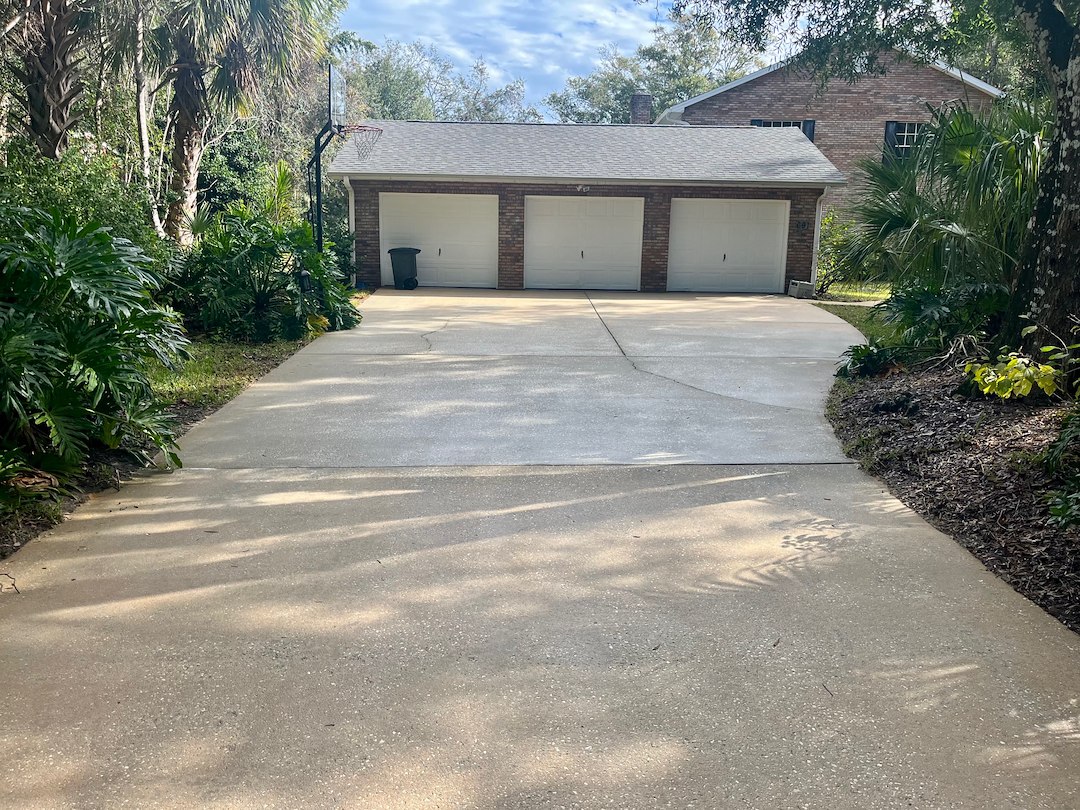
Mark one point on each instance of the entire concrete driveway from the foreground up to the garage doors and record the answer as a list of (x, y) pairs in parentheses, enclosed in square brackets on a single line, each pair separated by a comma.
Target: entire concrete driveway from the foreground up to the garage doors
[(458, 559)]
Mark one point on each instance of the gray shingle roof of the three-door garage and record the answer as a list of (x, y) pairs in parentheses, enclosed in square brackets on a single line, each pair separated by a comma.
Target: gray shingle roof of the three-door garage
[(592, 153)]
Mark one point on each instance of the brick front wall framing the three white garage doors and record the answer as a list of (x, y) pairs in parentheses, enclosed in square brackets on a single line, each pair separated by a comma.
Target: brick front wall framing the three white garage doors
[(369, 250)]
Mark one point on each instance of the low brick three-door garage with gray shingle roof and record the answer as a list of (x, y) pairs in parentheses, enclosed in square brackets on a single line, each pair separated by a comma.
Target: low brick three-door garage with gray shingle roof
[(582, 207)]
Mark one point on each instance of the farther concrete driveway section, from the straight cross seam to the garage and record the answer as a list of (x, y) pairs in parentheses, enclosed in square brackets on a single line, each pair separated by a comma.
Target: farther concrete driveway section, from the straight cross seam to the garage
[(456, 377)]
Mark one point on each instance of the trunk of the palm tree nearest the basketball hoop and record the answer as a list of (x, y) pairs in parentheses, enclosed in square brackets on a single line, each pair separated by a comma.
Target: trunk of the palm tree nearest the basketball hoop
[(191, 117)]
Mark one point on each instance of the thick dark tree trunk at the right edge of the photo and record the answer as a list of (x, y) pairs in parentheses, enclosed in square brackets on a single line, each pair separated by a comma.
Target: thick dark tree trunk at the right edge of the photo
[(1049, 286)]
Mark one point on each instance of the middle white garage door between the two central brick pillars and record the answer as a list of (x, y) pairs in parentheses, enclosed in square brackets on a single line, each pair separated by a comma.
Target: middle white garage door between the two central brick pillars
[(584, 244)]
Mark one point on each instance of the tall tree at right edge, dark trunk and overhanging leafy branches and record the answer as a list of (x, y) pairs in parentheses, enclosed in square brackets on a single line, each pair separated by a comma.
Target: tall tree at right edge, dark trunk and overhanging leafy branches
[(846, 39)]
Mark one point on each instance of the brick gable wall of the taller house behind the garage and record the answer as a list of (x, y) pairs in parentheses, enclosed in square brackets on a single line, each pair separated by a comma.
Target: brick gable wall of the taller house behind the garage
[(850, 118)]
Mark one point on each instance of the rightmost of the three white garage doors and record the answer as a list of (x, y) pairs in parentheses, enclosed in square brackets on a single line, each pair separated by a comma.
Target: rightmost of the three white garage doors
[(728, 246)]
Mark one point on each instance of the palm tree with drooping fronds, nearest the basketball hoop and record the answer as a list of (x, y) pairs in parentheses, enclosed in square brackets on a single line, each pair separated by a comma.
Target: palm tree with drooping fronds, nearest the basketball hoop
[(222, 51)]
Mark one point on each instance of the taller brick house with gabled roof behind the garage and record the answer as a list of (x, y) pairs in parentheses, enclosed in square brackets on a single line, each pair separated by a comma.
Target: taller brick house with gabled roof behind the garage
[(847, 121)]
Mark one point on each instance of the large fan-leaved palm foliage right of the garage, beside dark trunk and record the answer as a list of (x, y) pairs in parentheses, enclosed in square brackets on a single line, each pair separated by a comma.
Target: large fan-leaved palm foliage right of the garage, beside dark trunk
[(948, 225)]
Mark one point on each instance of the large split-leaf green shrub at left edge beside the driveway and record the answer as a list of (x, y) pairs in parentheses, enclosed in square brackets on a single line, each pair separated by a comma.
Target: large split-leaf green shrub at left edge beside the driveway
[(78, 330)]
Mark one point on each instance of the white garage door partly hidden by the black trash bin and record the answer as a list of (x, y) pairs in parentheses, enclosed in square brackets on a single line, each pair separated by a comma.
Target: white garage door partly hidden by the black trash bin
[(458, 237)]
